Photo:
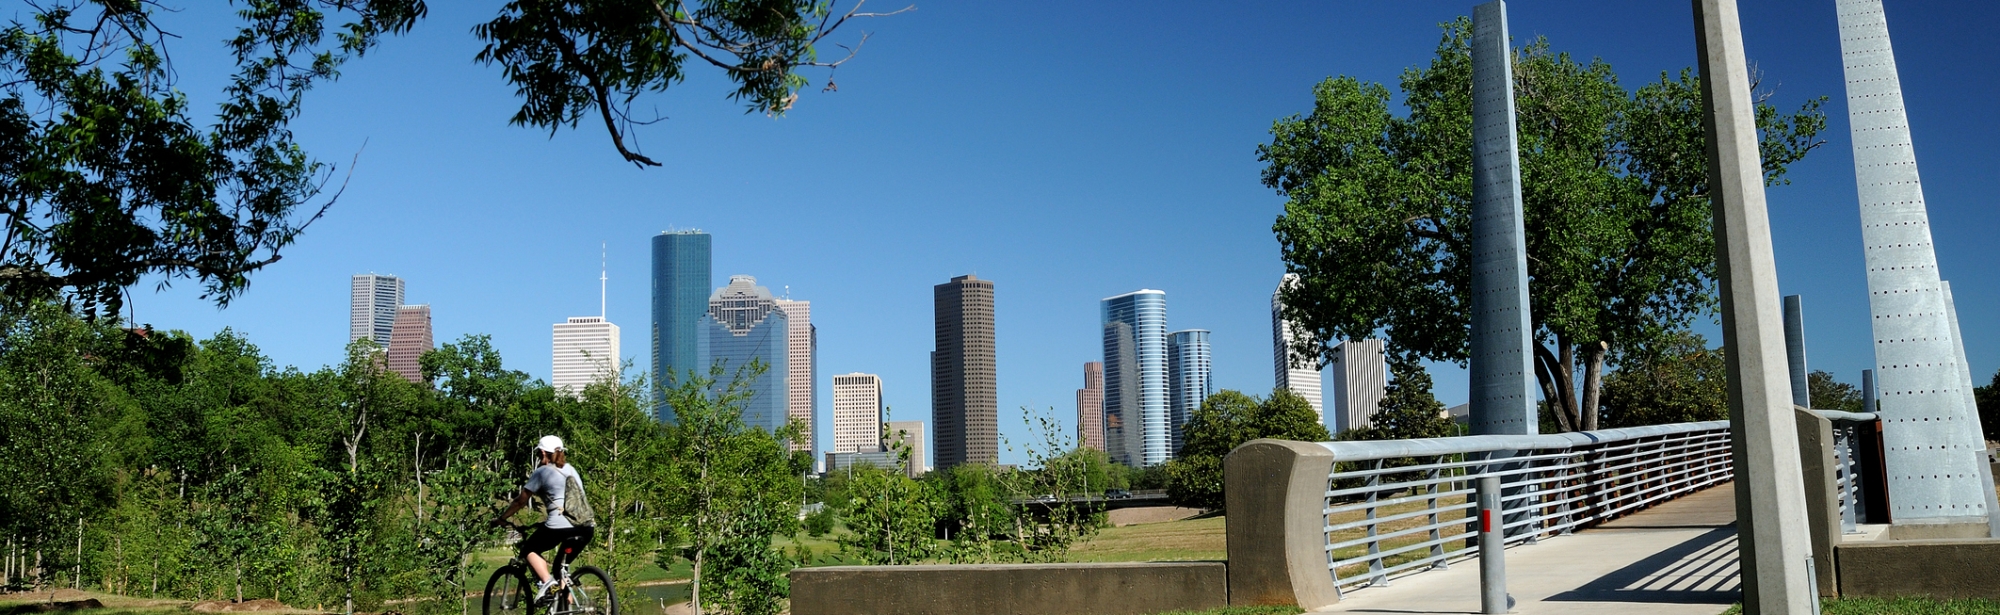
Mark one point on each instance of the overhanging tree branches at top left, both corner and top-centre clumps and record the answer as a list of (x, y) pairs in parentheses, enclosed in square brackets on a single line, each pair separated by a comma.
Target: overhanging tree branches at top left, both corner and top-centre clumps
[(107, 175)]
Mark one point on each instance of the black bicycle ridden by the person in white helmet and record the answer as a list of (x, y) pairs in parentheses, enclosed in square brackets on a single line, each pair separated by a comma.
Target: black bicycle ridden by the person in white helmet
[(511, 592)]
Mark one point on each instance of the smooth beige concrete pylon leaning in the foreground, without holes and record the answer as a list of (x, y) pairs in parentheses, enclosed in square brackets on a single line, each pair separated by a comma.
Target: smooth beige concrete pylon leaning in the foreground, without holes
[(1771, 500)]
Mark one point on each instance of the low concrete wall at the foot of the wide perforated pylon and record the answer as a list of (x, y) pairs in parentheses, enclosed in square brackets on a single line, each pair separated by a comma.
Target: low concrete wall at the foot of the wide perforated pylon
[(1951, 568)]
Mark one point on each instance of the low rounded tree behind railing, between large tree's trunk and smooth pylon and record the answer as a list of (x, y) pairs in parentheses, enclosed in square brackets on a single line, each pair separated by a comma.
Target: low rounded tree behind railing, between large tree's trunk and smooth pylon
[(1675, 382)]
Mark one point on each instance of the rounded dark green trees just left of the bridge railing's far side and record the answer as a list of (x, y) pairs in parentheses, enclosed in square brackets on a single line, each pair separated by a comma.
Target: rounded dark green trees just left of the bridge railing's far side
[(1225, 422)]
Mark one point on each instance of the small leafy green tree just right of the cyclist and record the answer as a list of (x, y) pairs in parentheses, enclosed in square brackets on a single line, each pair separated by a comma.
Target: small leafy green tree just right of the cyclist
[(731, 488)]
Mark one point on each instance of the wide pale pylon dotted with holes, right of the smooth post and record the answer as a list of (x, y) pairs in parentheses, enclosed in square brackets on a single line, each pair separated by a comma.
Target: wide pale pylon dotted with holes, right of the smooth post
[(1929, 434)]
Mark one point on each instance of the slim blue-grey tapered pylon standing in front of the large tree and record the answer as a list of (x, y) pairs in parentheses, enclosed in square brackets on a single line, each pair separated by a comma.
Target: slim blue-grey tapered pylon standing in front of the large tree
[(1503, 370)]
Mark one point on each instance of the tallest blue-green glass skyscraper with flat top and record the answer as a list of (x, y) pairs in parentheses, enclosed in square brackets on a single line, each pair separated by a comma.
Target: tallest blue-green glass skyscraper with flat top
[(681, 287)]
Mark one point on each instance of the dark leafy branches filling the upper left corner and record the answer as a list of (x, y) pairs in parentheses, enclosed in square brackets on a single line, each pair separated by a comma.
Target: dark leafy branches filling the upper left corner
[(107, 173)]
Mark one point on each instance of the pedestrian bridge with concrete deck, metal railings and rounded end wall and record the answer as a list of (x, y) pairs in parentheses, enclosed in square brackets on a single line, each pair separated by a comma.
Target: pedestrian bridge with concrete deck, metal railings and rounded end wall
[(1633, 520)]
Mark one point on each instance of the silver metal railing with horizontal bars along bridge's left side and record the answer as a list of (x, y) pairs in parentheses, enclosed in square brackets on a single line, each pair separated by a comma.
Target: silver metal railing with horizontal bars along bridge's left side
[(1403, 506)]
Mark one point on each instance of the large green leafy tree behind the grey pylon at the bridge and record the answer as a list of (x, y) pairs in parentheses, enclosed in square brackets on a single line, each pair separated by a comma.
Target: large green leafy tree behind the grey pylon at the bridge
[(1621, 247)]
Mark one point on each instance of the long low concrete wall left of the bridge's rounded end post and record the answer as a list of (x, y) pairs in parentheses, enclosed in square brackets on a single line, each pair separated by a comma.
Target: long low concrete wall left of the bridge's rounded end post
[(1005, 590)]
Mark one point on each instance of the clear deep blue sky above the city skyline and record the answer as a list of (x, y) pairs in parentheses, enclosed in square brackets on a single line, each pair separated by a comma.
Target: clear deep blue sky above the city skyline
[(1067, 151)]
